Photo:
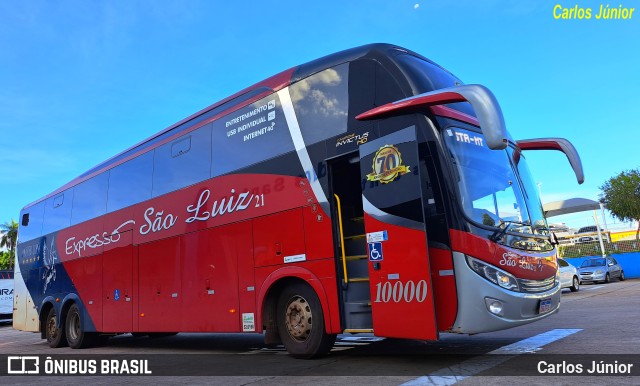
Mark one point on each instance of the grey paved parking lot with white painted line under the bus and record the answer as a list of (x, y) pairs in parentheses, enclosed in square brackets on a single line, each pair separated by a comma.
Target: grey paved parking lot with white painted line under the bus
[(597, 324)]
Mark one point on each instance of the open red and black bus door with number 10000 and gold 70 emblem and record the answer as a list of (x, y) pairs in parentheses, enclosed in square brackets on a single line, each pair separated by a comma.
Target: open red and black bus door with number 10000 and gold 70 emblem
[(398, 259)]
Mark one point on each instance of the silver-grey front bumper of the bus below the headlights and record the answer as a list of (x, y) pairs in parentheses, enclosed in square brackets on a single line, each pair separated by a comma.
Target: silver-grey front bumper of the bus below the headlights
[(485, 307)]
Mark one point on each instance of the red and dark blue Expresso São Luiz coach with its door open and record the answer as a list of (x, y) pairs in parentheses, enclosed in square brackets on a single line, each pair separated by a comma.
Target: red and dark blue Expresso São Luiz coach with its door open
[(366, 191)]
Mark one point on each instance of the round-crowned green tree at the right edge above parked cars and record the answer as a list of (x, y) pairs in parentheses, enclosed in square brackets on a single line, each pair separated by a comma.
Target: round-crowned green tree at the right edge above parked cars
[(621, 195)]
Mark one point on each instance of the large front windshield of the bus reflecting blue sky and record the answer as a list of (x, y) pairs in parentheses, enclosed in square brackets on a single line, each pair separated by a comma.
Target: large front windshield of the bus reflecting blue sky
[(495, 186)]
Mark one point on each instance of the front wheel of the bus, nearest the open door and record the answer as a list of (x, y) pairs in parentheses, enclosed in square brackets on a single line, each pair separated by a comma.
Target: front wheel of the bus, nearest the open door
[(301, 322)]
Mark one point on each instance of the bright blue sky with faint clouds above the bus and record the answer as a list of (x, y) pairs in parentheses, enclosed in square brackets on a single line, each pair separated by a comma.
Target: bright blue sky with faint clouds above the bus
[(81, 81)]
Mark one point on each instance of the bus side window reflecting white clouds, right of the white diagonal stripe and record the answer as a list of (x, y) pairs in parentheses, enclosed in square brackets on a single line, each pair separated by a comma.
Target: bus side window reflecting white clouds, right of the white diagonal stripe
[(321, 102)]
